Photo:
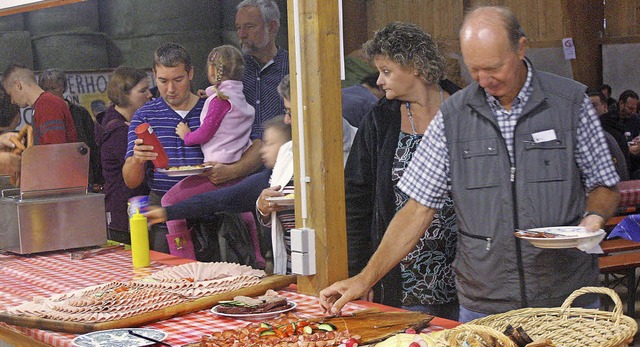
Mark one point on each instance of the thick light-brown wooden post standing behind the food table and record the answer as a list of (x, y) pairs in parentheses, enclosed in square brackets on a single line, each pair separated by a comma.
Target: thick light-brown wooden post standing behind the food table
[(319, 98)]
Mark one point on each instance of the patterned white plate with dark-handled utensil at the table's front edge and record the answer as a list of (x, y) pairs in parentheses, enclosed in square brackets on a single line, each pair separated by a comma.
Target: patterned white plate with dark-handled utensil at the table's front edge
[(119, 338)]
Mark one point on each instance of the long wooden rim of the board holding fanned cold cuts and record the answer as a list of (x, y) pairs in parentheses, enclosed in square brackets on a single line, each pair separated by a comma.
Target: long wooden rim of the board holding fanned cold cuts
[(269, 282)]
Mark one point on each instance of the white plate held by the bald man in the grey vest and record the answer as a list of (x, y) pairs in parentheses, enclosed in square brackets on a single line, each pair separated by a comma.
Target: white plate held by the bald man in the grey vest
[(564, 237)]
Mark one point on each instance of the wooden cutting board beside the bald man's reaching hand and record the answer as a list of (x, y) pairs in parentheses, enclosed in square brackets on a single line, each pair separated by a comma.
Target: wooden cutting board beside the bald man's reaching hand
[(372, 325)]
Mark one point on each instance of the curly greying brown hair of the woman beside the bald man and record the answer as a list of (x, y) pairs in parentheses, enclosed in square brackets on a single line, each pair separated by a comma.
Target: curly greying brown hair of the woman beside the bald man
[(409, 46)]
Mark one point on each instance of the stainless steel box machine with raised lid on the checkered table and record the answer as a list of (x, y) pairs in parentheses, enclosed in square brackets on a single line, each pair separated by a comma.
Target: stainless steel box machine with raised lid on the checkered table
[(52, 209)]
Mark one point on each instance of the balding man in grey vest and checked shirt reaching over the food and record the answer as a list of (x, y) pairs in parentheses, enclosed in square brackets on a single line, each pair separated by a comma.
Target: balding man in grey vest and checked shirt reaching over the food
[(519, 148)]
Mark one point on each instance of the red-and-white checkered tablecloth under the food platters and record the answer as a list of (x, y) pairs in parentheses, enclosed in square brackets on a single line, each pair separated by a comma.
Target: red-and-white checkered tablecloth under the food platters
[(23, 277)]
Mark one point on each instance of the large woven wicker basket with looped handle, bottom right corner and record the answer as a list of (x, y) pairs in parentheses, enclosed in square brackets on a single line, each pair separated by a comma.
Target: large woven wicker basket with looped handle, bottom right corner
[(565, 326)]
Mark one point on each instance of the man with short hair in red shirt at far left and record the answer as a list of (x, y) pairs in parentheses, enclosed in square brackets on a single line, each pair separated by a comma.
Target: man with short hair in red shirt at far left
[(52, 121)]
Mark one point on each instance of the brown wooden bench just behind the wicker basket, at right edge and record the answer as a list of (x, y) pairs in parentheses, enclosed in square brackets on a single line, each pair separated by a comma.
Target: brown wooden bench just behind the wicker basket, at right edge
[(625, 264)]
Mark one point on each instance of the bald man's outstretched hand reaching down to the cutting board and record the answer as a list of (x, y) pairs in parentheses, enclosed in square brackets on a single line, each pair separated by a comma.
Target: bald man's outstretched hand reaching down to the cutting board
[(334, 297)]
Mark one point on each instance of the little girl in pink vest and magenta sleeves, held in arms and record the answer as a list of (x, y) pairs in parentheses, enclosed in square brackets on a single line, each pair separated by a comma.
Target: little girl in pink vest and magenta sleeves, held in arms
[(226, 121)]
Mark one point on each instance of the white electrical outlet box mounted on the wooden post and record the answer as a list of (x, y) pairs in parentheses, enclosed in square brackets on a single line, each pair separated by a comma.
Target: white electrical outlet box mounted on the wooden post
[(303, 251)]
